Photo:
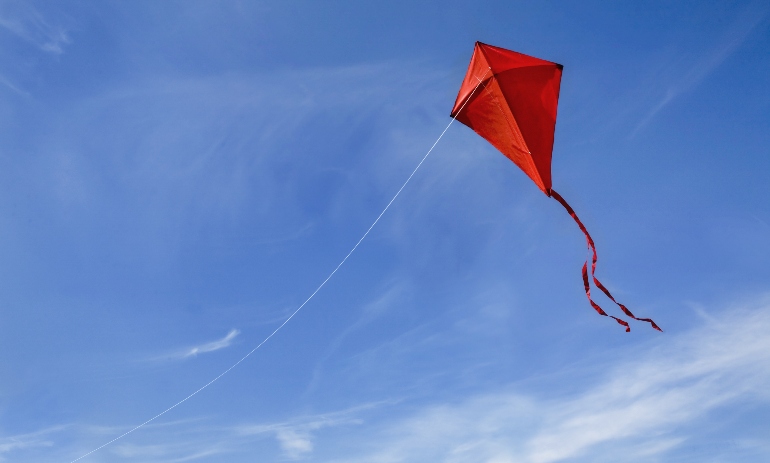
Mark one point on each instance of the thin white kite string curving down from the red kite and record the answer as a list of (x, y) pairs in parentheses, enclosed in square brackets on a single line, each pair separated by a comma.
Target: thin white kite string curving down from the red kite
[(306, 300)]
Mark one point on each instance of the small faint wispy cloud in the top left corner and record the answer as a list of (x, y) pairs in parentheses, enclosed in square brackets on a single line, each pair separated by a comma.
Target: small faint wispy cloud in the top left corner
[(25, 22)]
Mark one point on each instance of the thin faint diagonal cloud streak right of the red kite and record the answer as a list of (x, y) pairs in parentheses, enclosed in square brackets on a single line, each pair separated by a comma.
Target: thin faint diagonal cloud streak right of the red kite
[(736, 34)]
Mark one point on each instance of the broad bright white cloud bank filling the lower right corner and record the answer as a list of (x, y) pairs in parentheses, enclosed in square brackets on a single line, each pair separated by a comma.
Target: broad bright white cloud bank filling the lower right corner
[(643, 408)]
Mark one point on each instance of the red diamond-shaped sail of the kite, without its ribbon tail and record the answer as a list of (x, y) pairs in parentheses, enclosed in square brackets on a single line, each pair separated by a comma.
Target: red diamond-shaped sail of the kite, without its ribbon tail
[(510, 99)]
